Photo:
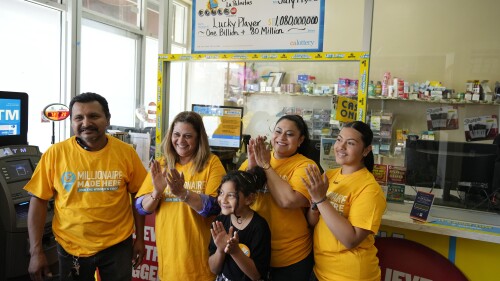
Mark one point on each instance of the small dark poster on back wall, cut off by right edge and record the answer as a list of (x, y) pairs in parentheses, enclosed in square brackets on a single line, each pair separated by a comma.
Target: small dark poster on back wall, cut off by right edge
[(481, 128)]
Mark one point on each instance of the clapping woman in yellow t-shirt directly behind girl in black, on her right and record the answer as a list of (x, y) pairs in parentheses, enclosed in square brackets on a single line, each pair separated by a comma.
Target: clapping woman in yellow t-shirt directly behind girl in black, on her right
[(284, 200)]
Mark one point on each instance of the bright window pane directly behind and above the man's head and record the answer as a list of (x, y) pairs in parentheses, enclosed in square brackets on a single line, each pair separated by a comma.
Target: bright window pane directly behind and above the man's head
[(109, 67)]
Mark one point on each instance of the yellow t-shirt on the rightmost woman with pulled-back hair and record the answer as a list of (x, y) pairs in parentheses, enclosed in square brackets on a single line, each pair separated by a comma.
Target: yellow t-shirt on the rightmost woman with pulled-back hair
[(359, 198)]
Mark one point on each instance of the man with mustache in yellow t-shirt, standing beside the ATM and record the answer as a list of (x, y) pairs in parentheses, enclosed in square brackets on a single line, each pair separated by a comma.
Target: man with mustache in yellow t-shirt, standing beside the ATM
[(92, 178)]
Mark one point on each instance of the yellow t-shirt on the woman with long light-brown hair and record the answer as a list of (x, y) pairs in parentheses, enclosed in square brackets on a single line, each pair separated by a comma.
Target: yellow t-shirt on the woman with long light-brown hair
[(182, 235)]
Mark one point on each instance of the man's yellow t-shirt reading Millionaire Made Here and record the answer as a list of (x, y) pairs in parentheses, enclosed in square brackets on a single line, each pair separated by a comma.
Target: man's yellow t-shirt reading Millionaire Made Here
[(91, 191)]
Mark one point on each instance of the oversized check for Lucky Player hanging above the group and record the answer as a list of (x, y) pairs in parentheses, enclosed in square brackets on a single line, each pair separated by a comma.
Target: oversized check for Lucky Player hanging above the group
[(257, 26)]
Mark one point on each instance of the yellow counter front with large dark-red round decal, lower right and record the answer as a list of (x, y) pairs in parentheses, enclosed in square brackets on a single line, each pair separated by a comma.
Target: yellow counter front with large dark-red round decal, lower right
[(468, 239)]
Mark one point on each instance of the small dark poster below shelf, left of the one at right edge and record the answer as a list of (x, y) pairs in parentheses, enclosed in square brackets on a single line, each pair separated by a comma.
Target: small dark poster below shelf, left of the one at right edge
[(442, 118)]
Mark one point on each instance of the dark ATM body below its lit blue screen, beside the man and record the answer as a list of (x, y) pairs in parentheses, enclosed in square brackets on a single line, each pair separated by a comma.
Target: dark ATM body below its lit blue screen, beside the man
[(17, 163)]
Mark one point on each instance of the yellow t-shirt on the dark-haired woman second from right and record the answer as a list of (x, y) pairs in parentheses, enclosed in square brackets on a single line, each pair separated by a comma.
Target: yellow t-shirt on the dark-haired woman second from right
[(291, 239)]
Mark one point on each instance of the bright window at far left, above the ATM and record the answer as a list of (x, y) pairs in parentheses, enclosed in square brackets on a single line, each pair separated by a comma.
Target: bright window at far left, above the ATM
[(31, 61)]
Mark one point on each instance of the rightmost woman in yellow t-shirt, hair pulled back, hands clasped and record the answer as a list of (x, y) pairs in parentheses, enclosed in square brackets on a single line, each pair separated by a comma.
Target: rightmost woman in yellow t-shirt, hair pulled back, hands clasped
[(346, 210)]
